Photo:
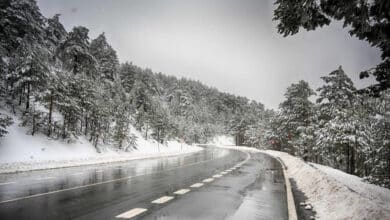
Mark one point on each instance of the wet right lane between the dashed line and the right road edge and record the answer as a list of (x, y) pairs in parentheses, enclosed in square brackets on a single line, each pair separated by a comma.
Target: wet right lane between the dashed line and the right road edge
[(254, 191)]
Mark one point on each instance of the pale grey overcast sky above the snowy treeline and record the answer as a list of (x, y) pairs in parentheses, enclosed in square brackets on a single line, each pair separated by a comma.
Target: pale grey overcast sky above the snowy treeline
[(228, 44)]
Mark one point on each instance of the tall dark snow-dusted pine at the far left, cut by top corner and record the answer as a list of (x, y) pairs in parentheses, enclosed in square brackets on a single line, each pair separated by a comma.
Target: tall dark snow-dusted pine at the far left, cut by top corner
[(21, 41)]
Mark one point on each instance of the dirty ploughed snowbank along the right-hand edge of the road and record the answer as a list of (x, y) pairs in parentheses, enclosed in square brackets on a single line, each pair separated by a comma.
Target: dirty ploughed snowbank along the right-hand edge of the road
[(334, 194)]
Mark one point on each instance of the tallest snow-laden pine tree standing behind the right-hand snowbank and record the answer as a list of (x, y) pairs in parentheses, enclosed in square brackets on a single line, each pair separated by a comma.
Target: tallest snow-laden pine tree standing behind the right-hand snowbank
[(340, 136)]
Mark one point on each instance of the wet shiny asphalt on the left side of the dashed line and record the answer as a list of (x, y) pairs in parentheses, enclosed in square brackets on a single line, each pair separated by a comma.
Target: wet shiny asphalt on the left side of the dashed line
[(114, 190)]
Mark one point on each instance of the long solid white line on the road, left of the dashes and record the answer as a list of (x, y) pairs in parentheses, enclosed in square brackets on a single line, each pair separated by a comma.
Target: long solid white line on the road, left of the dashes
[(100, 183)]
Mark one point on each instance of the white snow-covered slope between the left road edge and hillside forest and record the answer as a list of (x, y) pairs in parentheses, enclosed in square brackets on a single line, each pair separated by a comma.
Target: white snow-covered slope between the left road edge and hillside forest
[(21, 152)]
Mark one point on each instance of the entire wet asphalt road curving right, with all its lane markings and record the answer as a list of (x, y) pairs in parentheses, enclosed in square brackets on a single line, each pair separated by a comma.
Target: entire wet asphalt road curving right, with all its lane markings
[(213, 183)]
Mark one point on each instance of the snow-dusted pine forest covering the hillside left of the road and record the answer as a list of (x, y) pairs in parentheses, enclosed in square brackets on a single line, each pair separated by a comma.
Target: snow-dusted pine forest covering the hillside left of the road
[(65, 85)]
